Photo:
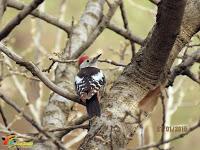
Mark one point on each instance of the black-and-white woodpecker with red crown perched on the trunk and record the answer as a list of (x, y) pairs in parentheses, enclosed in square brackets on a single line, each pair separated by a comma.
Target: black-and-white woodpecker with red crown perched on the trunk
[(88, 83)]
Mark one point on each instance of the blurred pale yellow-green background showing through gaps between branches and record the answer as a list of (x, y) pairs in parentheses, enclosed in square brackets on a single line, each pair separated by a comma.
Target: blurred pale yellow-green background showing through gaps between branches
[(37, 40)]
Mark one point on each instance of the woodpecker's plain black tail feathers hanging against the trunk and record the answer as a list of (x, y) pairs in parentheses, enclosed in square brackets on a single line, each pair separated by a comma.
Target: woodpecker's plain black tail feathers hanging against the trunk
[(93, 106)]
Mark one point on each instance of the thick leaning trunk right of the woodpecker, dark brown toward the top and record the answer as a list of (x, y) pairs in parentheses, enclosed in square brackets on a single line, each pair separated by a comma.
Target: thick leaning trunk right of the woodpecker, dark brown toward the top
[(120, 109)]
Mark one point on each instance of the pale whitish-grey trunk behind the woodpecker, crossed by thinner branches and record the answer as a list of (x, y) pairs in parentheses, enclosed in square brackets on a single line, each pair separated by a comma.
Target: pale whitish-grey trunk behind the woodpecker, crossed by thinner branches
[(57, 111)]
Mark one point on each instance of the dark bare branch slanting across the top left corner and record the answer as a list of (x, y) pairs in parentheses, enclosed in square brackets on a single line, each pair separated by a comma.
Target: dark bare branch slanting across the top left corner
[(20, 16)]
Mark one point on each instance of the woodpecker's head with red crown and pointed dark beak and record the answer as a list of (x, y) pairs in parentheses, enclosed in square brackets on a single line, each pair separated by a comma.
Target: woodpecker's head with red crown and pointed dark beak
[(84, 61)]
